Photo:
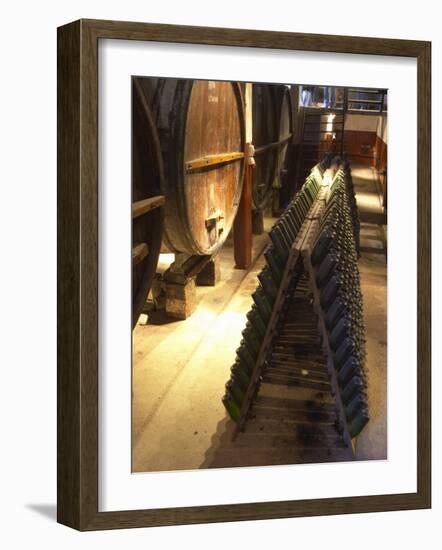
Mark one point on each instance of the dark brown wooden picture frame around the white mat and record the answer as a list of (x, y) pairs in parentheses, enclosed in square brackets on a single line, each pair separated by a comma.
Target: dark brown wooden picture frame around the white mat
[(77, 225)]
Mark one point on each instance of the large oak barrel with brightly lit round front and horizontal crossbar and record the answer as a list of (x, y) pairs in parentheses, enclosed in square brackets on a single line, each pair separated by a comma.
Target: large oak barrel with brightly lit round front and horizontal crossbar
[(201, 128)]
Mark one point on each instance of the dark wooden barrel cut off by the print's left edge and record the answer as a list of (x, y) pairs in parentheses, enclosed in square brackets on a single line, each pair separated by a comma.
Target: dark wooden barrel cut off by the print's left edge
[(147, 200)]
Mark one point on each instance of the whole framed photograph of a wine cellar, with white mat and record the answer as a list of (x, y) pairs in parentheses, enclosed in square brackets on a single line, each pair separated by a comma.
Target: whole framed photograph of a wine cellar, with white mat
[(243, 329)]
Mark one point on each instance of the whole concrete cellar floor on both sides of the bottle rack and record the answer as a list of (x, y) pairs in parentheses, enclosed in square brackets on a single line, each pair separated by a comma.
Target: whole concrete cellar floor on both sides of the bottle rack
[(180, 367)]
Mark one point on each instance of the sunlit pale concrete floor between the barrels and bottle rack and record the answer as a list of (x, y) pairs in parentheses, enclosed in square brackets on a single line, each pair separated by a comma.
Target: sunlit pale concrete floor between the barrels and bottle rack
[(180, 369)]
